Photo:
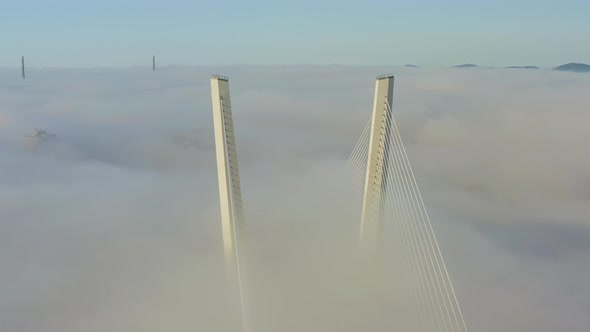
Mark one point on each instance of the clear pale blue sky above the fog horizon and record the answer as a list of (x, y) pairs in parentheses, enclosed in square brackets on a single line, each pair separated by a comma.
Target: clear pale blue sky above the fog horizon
[(78, 33)]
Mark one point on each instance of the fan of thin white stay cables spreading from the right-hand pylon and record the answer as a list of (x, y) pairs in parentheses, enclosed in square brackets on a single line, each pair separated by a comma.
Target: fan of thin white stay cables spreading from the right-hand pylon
[(395, 211)]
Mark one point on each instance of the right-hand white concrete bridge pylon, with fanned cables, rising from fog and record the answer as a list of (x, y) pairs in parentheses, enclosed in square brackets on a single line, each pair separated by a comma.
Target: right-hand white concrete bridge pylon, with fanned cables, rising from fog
[(376, 175)]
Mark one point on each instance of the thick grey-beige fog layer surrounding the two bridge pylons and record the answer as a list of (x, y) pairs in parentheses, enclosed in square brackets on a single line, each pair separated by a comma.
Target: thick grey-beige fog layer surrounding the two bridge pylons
[(114, 224)]
